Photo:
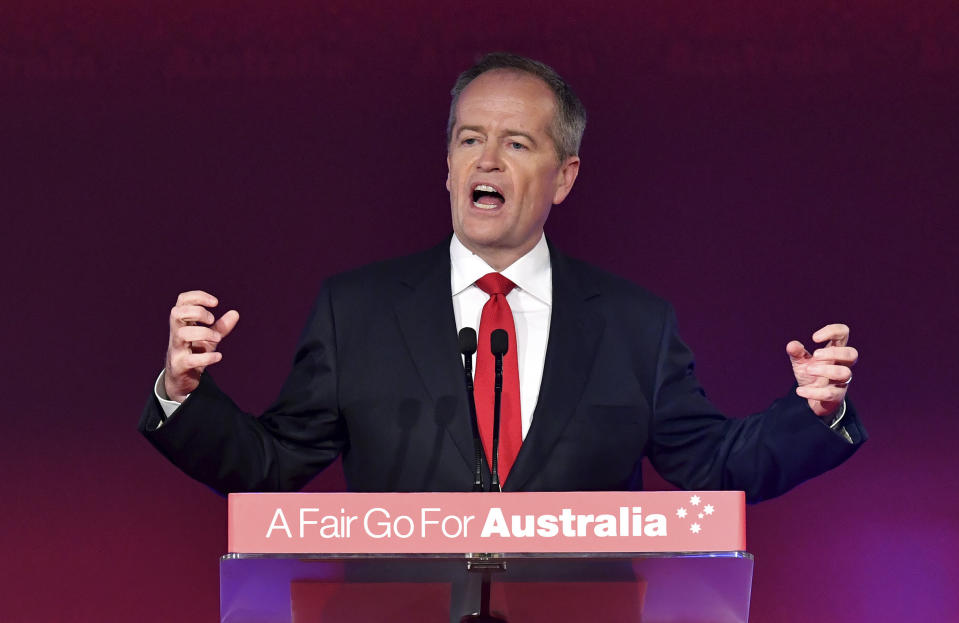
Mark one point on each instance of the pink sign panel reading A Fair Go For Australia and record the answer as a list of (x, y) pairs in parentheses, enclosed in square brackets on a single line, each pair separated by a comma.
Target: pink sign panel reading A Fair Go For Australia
[(418, 523)]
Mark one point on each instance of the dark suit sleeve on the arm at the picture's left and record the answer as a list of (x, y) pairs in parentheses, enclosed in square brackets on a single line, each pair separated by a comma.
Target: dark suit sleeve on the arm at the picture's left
[(215, 442)]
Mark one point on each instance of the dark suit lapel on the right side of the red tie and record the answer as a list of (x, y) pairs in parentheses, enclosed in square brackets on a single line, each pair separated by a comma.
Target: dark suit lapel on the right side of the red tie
[(574, 334)]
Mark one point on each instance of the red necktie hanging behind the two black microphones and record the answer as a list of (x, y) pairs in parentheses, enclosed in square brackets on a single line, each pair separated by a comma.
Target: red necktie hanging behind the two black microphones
[(498, 315)]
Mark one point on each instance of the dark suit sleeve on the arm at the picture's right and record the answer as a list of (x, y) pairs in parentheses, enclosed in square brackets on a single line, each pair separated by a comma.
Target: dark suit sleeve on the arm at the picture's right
[(695, 447)]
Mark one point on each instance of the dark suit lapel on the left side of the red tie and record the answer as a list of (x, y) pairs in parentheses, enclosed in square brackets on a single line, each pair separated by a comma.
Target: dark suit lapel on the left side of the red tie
[(426, 321)]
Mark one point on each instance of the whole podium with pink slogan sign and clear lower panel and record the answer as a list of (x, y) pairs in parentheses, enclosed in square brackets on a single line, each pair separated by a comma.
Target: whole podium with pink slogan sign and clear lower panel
[(519, 557)]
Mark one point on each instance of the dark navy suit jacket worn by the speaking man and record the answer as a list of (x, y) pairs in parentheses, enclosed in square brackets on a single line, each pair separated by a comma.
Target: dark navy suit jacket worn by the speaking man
[(377, 378)]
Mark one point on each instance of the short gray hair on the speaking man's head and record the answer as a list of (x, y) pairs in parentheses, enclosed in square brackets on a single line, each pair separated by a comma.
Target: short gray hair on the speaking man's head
[(570, 122)]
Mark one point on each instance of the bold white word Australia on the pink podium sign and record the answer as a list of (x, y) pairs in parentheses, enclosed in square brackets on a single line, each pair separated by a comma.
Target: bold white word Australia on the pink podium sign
[(629, 522)]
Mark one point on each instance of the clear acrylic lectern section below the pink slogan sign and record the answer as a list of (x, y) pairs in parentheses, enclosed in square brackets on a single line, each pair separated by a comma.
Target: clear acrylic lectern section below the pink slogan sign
[(521, 588)]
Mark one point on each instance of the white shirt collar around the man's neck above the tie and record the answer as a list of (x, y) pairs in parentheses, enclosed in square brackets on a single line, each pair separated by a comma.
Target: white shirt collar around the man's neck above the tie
[(531, 273)]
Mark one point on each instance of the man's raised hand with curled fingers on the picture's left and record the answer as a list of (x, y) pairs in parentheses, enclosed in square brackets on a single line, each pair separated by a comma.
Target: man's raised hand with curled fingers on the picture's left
[(194, 337)]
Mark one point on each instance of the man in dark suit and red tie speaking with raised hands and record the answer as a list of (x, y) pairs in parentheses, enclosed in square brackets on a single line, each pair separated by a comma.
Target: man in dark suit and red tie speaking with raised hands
[(603, 378)]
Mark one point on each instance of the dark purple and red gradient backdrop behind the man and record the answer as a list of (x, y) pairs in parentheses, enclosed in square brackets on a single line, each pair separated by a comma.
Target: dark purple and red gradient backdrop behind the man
[(767, 168)]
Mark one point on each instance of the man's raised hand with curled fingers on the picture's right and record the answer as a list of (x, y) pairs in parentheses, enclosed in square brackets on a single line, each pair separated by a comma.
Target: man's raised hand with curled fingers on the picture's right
[(824, 375)]
